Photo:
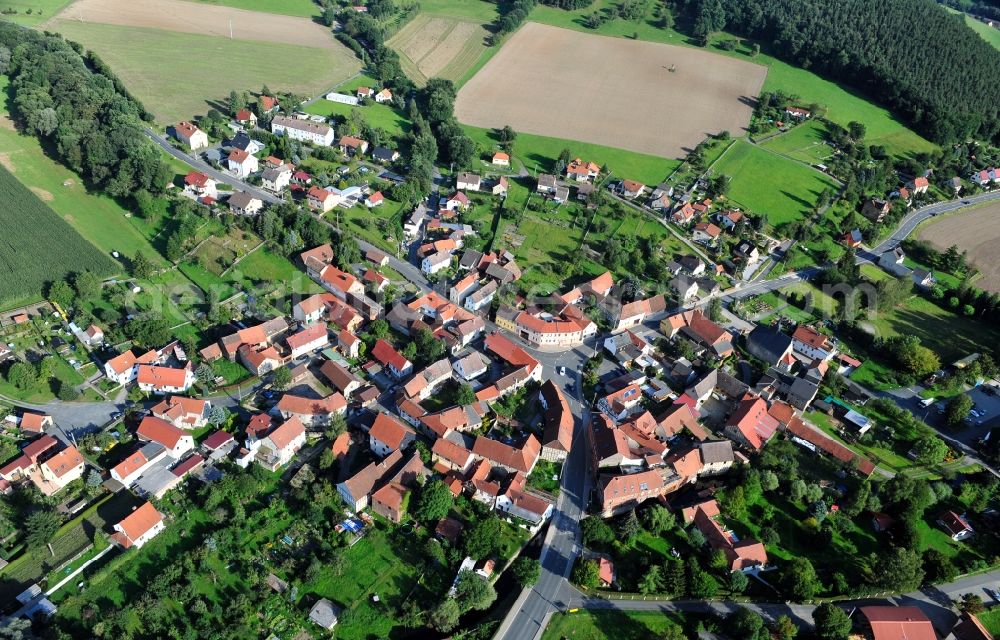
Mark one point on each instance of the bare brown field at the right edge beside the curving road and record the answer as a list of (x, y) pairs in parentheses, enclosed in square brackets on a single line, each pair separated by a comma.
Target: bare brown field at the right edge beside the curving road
[(978, 232)]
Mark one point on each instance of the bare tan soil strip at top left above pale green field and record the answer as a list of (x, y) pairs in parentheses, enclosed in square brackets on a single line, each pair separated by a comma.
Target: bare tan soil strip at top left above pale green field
[(202, 19)]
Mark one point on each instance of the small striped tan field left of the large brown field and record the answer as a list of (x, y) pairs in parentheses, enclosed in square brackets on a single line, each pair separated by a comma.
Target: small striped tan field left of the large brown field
[(438, 46)]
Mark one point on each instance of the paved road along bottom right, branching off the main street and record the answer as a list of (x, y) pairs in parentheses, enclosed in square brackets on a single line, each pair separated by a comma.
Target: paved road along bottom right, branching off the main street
[(933, 601)]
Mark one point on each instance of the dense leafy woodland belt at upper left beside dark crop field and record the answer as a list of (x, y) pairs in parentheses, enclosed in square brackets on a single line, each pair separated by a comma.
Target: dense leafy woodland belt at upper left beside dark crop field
[(77, 107)]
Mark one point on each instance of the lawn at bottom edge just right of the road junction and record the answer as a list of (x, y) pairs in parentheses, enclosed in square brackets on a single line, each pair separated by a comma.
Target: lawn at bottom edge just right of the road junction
[(601, 625)]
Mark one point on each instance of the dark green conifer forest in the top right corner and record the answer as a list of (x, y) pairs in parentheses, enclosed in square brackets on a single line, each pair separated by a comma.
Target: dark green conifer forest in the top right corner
[(911, 55)]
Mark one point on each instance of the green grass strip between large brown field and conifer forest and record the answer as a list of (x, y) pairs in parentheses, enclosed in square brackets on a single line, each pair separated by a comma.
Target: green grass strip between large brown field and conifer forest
[(842, 104)]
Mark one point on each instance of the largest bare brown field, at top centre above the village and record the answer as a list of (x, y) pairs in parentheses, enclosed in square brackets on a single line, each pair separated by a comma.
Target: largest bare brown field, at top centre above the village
[(610, 91)]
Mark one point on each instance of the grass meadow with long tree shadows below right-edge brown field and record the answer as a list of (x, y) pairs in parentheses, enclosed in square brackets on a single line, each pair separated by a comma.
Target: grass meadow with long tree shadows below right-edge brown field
[(950, 335)]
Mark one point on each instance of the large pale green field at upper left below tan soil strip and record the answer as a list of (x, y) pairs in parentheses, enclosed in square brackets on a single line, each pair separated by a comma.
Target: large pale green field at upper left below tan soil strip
[(212, 66)]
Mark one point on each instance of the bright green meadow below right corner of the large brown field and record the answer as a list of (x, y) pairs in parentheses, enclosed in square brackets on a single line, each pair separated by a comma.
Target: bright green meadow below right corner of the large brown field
[(781, 189)]
